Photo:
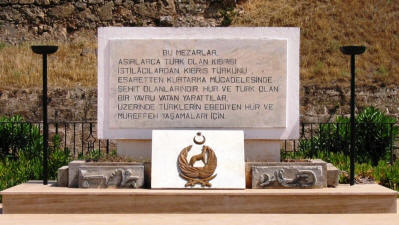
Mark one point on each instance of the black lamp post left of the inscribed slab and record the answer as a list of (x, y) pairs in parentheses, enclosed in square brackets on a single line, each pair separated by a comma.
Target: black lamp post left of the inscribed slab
[(45, 50)]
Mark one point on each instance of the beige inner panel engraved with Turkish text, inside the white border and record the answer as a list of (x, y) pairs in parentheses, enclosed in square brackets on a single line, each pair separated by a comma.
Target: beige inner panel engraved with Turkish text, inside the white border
[(197, 83)]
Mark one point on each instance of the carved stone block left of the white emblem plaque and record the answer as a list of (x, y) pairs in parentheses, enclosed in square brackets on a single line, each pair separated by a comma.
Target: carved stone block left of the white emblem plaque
[(111, 176)]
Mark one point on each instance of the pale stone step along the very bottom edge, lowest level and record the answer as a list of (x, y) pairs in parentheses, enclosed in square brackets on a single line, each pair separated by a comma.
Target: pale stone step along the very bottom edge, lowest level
[(203, 219)]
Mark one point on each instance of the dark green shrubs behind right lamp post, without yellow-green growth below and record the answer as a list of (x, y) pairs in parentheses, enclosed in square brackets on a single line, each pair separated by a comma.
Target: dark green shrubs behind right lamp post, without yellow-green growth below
[(373, 137)]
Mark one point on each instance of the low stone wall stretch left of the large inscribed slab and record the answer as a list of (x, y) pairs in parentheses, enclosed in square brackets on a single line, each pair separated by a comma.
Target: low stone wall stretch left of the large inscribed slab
[(74, 104)]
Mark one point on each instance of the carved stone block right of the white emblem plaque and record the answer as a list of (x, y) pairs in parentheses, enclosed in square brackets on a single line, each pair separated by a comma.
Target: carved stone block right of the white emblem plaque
[(288, 176)]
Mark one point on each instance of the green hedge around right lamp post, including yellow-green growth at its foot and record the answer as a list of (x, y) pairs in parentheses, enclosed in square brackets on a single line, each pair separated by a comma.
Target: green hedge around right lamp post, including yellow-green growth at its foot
[(373, 141)]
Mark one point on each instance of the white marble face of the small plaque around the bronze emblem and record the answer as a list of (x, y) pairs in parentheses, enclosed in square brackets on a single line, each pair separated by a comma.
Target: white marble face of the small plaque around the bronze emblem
[(227, 145)]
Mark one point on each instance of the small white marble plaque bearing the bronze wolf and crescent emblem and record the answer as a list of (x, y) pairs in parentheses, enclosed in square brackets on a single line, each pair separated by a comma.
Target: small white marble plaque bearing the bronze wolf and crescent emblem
[(197, 159)]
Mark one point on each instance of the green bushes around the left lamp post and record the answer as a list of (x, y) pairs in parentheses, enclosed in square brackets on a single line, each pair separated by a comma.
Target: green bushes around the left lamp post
[(22, 156)]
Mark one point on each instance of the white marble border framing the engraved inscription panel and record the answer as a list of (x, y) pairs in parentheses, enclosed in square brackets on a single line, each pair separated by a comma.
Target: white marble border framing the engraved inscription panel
[(291, 35)]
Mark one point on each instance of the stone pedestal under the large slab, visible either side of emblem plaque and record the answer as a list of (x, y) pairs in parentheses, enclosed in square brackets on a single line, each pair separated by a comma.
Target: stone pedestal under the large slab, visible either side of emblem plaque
[(255, 150)]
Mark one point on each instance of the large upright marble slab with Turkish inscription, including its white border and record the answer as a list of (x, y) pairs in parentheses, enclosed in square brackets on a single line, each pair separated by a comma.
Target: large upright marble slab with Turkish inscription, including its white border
[(215, 78)]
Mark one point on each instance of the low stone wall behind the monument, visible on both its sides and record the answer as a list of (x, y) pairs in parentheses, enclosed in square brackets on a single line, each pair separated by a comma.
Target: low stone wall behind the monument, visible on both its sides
[(77, 104)]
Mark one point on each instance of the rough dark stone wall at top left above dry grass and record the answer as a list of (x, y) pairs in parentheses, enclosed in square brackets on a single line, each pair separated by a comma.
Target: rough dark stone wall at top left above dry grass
[(29, 19)]
